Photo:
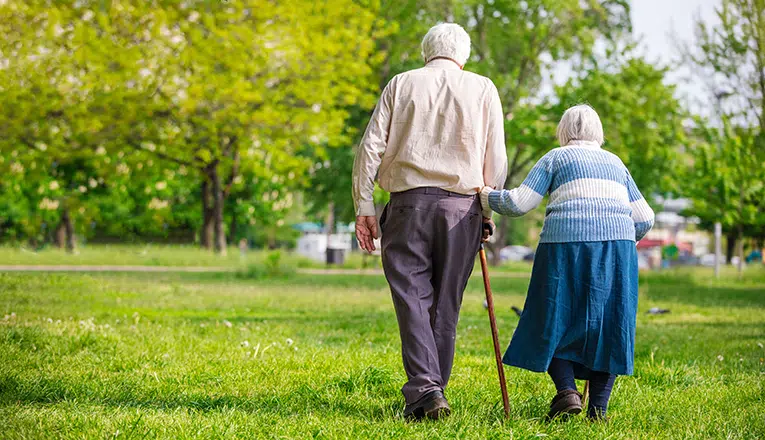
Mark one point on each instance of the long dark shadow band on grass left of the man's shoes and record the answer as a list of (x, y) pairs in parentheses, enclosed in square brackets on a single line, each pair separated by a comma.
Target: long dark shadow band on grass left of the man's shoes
[(368, 394)]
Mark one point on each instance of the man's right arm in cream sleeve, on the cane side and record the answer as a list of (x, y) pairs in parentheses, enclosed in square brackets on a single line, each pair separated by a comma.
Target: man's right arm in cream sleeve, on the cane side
[(495, 159)]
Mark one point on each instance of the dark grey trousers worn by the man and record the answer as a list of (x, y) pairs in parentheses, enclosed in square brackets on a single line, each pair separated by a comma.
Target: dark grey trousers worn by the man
[(430, 238)]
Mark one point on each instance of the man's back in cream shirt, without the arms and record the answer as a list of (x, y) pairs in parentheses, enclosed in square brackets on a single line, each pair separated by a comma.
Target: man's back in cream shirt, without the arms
[(438, 130)]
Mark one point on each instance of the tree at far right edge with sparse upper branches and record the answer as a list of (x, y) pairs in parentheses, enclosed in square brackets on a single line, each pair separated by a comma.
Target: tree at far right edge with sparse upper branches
[(729, 59)]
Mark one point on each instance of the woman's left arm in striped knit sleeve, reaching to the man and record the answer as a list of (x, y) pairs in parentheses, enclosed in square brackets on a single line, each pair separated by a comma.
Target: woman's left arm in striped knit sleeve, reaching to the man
[(518, 201)]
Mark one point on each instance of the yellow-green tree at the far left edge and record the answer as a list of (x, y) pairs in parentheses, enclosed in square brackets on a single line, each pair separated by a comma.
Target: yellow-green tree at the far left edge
[(48, 112)]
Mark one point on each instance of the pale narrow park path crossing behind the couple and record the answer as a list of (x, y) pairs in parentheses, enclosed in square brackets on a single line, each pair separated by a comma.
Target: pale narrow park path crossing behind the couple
[(206, 269)]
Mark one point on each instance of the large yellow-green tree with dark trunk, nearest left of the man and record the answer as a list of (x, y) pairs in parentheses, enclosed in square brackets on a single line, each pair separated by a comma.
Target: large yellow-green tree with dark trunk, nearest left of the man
[(252, 87)]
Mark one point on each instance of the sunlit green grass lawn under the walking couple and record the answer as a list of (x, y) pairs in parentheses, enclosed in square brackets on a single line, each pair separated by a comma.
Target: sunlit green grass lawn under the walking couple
[(213, 356)]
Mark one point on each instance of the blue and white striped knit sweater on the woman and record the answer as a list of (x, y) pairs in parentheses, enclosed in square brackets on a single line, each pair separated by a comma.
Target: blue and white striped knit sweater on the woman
[(592, 196)]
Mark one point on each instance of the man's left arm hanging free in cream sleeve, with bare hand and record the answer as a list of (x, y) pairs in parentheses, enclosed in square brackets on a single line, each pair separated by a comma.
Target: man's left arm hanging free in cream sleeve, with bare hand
[(365, 166)]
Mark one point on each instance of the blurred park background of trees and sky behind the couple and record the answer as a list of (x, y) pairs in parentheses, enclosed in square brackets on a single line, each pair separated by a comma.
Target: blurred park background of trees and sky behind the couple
[(139, 132)]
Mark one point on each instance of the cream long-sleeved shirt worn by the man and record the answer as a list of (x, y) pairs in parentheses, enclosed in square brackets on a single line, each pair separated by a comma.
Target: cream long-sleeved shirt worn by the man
[(437, 126)]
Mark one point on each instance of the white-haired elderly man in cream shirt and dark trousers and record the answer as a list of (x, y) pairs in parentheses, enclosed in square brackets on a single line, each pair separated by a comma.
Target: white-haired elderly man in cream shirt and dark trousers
[(435, 136)]
